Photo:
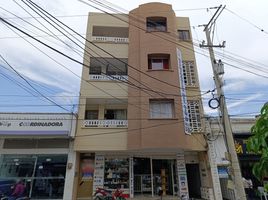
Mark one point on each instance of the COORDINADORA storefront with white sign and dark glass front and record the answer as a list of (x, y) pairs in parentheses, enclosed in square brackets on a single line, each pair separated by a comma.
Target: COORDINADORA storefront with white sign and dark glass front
[(36, 150)]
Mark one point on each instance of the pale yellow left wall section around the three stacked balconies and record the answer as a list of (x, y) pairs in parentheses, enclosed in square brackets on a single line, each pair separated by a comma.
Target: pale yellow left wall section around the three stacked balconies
[(87, 139)]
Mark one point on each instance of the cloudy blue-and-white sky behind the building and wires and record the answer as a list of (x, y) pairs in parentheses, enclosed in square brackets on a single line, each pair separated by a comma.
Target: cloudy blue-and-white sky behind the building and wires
[(245, 92)]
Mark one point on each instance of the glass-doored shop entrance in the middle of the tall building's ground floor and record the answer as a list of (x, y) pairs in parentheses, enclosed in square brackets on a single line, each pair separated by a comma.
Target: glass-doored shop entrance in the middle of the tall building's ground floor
[(152, 175)]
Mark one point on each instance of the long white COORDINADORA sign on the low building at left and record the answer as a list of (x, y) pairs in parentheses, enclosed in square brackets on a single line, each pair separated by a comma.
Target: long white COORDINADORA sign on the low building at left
[(36, 124)]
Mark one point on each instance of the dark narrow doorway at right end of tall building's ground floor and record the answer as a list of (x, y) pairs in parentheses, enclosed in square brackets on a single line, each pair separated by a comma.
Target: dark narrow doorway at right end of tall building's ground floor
[(194, 182)]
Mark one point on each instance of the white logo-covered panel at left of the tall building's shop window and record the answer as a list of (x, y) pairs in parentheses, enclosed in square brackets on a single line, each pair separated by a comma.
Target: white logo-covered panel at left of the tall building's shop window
[(99, 172)]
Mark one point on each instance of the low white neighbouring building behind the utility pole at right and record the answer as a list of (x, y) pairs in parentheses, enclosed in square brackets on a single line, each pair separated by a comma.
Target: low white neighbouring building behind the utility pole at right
[(241, 132)]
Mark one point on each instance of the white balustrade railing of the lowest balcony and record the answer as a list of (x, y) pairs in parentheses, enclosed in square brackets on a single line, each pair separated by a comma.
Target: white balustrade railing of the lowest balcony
[(106, 123)]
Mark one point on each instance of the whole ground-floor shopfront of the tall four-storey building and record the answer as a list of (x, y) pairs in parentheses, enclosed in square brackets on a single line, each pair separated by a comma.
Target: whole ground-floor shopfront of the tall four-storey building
[(139, 175)]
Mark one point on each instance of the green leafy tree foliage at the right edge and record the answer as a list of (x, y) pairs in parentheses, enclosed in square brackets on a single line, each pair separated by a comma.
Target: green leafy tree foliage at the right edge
[(258, 143)]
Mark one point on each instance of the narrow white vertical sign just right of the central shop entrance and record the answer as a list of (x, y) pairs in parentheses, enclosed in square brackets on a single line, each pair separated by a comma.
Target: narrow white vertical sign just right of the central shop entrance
[(182, 176)]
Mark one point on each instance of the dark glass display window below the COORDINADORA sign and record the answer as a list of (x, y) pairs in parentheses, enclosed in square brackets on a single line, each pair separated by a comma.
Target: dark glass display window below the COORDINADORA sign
[(42, 175)]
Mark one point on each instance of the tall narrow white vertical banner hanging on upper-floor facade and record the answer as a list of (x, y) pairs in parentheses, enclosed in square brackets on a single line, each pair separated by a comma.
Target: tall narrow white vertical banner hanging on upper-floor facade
[(187, 127)]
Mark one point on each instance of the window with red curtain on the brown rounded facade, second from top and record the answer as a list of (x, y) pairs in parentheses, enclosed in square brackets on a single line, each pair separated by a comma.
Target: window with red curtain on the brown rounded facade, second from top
[(158, 61)]
